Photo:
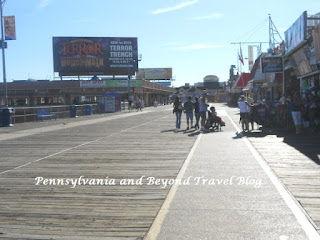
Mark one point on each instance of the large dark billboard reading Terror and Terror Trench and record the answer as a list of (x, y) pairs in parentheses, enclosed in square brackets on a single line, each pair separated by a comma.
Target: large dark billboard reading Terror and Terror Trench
[(78, 56)]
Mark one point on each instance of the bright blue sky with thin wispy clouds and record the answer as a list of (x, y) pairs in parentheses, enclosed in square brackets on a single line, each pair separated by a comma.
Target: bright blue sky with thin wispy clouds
[(193, 37)]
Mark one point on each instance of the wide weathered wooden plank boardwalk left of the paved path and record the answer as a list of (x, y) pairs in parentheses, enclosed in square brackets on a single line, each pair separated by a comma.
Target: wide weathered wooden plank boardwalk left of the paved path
[(132, 146)]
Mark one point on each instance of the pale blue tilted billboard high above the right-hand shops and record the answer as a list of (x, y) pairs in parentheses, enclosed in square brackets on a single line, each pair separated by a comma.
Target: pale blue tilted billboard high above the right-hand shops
[(296, 33)]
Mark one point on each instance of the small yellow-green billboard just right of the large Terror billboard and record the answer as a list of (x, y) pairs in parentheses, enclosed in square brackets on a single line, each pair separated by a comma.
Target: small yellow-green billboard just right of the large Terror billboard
[(154, 73)]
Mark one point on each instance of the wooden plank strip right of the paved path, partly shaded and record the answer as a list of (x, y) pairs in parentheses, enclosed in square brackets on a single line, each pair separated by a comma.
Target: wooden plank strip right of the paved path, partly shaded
[(296, 162)]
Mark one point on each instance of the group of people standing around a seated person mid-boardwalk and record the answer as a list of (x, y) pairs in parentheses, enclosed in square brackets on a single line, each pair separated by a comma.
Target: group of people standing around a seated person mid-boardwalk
[(197, 108)]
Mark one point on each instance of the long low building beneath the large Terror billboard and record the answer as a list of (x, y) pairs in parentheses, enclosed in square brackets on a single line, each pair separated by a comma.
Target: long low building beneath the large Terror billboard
[(44, 92)]
